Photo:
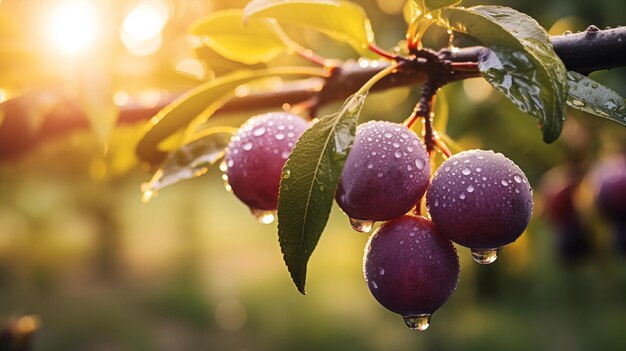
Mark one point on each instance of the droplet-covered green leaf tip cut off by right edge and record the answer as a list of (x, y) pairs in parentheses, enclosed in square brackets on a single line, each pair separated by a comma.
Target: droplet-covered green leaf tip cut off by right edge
[(587, 95)]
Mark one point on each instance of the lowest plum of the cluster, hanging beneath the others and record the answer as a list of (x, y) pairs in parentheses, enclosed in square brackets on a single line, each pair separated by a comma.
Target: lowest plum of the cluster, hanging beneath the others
[(409, 268)]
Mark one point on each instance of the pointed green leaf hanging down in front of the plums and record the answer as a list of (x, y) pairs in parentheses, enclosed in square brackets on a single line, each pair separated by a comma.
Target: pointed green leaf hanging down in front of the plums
[(308, 184)]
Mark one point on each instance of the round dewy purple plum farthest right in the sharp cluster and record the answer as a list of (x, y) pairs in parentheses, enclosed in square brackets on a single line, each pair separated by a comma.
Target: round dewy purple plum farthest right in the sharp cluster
[(480, 199)]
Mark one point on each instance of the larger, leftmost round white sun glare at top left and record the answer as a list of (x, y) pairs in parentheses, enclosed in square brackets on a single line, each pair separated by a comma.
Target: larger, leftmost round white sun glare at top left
[(72, 27)]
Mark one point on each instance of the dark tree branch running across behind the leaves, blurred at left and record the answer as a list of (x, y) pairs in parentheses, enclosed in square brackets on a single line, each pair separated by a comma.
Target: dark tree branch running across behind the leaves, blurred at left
[(583, 52)]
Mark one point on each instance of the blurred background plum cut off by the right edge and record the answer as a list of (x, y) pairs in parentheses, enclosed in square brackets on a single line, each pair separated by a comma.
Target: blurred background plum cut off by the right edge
[(610, 183)]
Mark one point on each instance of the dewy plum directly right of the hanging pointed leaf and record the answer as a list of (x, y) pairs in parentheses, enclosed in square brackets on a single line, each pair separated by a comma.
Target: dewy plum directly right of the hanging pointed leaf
[(375, 183)]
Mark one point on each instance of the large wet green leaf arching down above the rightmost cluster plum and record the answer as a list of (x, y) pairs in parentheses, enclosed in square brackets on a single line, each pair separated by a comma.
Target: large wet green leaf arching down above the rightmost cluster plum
[(508, 32)]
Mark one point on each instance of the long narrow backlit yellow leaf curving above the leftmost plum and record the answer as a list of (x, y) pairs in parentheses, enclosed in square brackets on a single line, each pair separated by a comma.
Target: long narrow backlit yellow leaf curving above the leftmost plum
[(206, 99)]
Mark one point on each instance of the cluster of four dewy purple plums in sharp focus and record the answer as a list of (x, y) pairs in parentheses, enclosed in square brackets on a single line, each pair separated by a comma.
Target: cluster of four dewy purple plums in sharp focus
[(477, 199)]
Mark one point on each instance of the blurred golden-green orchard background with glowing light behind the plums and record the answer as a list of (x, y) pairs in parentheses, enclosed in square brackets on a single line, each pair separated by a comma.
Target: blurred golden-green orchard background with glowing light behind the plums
[(90, 267)]
